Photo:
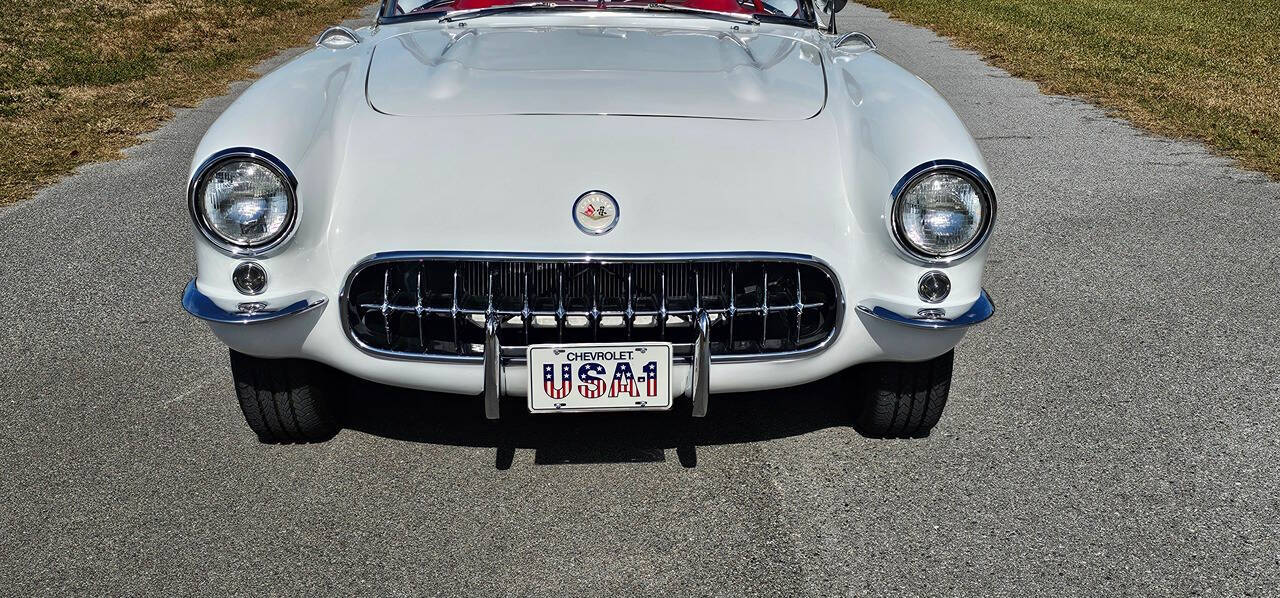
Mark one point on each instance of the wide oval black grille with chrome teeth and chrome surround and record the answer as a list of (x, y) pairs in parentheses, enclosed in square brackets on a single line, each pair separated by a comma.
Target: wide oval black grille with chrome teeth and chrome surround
[(436, 307)]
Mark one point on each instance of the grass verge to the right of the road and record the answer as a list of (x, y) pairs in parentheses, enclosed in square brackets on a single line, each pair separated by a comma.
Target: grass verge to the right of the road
[(1204, 70)]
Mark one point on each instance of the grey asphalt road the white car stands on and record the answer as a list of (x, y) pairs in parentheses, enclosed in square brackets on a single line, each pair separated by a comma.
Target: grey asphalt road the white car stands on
[(1114, 431)]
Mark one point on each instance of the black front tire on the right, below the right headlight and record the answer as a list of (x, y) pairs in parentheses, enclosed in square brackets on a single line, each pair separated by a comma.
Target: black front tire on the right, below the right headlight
[(903, 400)]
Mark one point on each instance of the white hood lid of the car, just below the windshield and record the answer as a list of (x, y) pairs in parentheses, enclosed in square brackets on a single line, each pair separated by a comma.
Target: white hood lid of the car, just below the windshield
[(597, 71)]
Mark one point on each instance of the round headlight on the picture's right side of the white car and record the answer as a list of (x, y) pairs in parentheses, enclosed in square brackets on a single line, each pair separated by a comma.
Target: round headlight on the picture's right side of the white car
[(943, 214)]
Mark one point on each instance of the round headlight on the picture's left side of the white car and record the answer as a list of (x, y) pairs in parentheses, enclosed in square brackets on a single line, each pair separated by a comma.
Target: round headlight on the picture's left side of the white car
[(244, 204)]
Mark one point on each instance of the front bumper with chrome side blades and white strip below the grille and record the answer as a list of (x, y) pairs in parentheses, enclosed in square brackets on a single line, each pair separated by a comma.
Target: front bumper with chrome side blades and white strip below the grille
[(308, 327)]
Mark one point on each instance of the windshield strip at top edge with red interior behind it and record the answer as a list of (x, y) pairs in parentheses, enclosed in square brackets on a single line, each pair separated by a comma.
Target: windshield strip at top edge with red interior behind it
[(767, 10)]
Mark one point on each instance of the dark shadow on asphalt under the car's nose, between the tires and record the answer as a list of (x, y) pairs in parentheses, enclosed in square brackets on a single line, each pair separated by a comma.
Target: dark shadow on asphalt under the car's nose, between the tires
[(591, 439)]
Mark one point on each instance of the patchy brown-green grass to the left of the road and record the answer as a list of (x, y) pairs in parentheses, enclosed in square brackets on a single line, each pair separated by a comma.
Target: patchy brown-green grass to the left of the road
[(80, 81)]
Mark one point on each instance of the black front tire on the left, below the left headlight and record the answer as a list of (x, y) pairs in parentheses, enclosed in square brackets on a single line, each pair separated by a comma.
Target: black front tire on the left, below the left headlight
[(286, 401)]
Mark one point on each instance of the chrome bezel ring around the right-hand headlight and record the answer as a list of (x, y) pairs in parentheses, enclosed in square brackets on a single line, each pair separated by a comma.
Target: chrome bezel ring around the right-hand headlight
[(920, 174)]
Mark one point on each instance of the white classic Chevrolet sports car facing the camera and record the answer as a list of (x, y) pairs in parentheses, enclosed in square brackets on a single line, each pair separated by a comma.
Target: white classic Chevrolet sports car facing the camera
[(596, 206)]
